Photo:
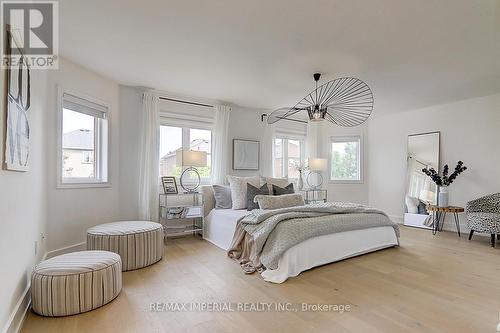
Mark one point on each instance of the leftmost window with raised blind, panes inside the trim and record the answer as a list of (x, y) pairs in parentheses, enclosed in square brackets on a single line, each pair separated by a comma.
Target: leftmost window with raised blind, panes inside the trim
[(83, 146)]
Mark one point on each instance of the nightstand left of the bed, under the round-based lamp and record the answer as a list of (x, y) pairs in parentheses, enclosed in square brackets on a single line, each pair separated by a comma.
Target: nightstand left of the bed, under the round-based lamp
[(177, 209)]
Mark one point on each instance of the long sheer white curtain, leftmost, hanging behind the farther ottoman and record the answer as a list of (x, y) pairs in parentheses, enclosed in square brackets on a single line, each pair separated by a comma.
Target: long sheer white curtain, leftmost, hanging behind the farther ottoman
[(149, 158)]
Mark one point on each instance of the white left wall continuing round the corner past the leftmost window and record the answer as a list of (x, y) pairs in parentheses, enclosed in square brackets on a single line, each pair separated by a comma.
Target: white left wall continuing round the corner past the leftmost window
[(30, 203)]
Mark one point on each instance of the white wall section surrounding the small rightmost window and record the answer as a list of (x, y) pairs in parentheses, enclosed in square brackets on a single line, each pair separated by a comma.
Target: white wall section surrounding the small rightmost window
[(352, 192)]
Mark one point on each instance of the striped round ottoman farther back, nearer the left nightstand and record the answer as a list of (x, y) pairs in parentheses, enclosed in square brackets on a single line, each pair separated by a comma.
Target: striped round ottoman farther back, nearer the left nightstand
[(139, 243)]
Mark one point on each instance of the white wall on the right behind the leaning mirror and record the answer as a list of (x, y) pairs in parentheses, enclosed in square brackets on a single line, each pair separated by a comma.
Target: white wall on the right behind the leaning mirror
[(470, 131)]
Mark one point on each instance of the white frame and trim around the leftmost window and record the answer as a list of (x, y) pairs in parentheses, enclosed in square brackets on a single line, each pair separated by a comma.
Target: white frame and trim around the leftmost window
[(102, 154)]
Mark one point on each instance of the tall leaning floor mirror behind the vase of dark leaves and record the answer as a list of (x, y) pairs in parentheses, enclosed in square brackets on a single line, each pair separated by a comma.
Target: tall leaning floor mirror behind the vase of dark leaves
[(422, 152)]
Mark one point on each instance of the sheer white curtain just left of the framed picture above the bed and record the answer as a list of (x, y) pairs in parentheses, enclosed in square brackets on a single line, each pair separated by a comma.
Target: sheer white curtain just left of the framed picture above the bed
[(221, 140)]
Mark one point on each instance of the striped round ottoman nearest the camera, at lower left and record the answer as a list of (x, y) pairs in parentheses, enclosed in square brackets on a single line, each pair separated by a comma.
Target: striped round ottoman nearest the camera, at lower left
[(75, 282)]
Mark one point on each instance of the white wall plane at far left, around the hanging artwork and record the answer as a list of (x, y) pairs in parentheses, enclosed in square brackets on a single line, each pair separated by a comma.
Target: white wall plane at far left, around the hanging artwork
[(22, 203)]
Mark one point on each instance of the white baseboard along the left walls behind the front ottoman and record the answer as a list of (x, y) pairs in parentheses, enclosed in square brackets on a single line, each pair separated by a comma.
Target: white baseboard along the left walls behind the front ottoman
[(18, 315)]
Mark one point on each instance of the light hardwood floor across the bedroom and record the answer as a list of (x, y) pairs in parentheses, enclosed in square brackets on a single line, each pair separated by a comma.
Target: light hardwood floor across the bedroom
[(430, 284)]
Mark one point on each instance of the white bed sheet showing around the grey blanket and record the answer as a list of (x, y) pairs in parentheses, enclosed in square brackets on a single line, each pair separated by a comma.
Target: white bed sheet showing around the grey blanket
[(220, 225)]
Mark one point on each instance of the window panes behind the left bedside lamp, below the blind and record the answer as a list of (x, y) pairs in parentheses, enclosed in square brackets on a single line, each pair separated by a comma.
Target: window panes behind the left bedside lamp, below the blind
[(173, 139)]
